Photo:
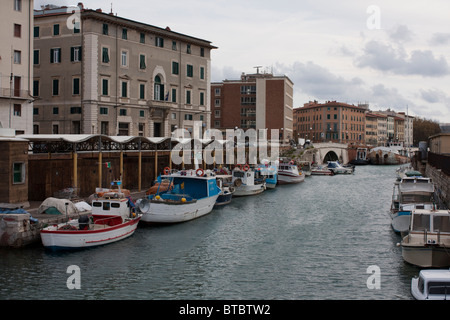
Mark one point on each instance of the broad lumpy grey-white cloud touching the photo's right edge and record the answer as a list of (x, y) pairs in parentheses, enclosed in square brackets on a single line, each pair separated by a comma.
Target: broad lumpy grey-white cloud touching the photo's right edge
[(386, 58)]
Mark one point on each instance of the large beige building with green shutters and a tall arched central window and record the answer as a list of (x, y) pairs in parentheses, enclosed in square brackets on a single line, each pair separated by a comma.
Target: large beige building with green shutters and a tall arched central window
[(96, 72)]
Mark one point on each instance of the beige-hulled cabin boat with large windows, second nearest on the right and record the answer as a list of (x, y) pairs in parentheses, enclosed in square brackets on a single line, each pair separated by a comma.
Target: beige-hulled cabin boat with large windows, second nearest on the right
[(428, 241)]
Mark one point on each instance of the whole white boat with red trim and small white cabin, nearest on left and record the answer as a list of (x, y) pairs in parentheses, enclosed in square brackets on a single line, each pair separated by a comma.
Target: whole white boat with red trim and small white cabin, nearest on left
[(113, 218)]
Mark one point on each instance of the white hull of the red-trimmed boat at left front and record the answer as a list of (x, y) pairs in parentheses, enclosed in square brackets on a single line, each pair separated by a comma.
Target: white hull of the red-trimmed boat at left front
[(55, 239)]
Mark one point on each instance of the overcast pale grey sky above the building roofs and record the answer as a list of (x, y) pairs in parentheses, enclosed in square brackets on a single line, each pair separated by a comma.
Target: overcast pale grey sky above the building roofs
[(390, 54)]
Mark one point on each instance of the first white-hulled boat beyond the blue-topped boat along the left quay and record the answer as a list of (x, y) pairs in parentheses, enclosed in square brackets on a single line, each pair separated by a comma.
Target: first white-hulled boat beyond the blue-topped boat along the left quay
[(246, 181)]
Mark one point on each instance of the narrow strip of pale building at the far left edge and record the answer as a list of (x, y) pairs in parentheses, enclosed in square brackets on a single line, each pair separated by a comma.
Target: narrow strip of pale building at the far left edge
[(16, 69)]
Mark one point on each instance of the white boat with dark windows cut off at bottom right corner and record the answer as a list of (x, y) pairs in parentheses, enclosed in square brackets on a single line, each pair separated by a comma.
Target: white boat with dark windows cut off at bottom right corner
[(432, 284)]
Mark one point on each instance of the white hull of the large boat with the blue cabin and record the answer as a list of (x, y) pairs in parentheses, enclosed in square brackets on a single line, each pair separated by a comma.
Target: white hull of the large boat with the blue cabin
[(164, 212)]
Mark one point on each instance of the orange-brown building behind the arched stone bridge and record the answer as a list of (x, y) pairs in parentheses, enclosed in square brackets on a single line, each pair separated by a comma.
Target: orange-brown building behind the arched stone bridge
[(331, 121)]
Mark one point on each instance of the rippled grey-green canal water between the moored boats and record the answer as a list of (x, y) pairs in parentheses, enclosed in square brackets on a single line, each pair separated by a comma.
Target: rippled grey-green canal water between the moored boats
[(319, 239)]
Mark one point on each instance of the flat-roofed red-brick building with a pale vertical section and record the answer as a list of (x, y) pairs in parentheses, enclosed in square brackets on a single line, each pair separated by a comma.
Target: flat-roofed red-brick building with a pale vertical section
[(255, 101)]
